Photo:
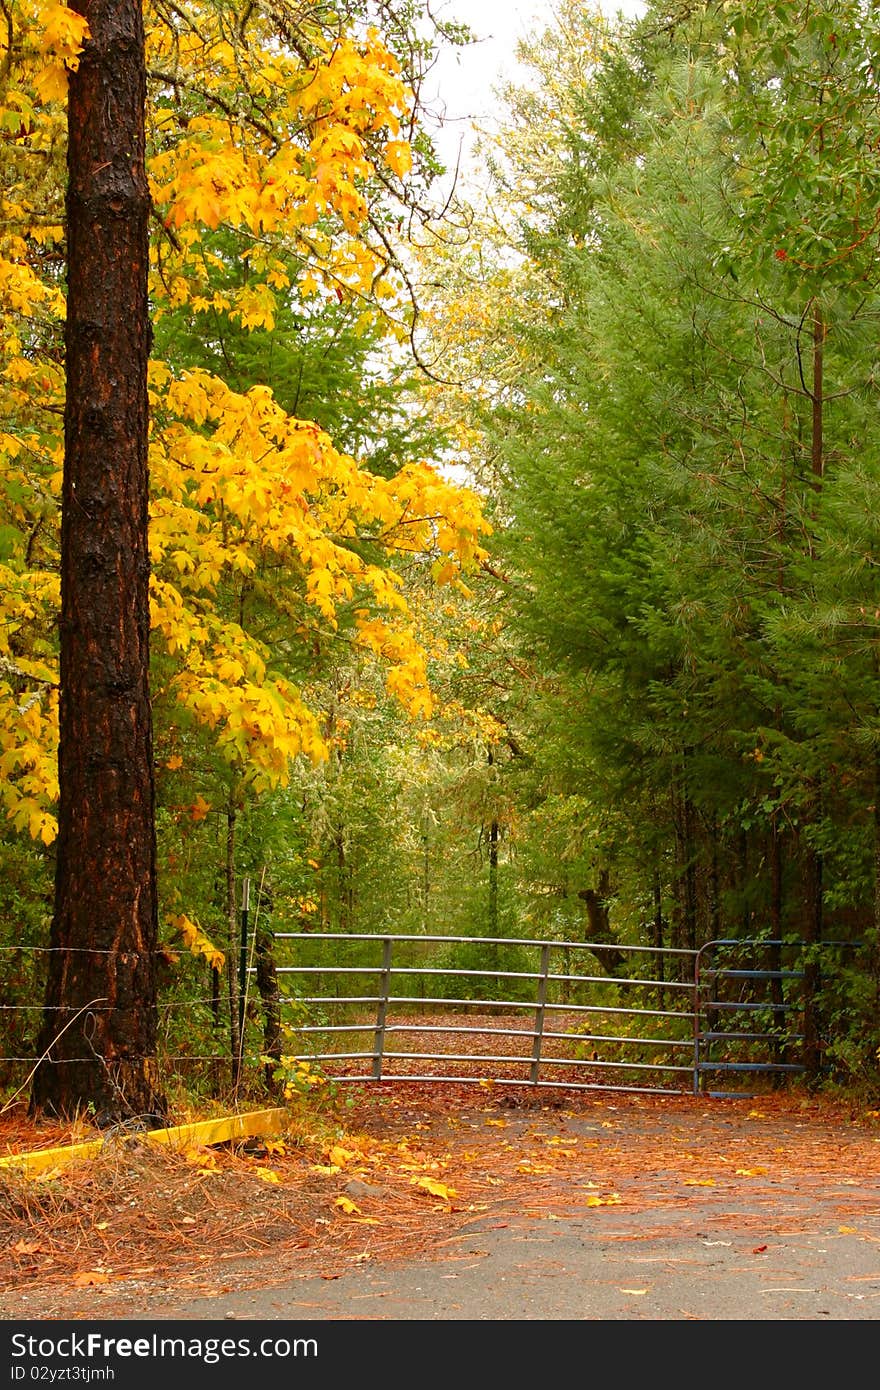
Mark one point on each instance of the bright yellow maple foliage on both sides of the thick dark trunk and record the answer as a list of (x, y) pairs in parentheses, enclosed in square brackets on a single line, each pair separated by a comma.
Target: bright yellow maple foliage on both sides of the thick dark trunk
[(279, 147)]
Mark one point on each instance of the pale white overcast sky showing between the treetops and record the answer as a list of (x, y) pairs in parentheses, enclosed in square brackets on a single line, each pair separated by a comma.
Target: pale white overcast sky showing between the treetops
[(464, 79)]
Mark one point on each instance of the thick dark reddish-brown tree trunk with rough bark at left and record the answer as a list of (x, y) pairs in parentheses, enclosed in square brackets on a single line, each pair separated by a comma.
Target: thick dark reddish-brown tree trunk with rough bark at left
[(101, 1022)]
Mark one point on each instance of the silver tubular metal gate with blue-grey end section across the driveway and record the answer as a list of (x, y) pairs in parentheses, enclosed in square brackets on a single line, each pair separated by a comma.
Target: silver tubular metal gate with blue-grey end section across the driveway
[(535, 1014)]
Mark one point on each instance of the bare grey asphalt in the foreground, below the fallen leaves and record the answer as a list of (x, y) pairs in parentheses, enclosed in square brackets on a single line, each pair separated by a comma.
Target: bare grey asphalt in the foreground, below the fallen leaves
[(672, 1267)]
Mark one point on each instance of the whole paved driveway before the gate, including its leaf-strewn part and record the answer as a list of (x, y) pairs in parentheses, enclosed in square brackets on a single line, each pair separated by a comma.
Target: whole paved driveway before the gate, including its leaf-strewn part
[(797, 1238)]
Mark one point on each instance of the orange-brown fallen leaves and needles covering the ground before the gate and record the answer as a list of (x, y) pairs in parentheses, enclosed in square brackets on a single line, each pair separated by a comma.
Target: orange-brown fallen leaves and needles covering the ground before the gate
[(423, 1167)]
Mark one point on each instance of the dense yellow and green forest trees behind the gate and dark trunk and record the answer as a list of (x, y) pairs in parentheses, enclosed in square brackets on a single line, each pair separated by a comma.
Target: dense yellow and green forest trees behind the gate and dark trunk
[(646, 705)]
